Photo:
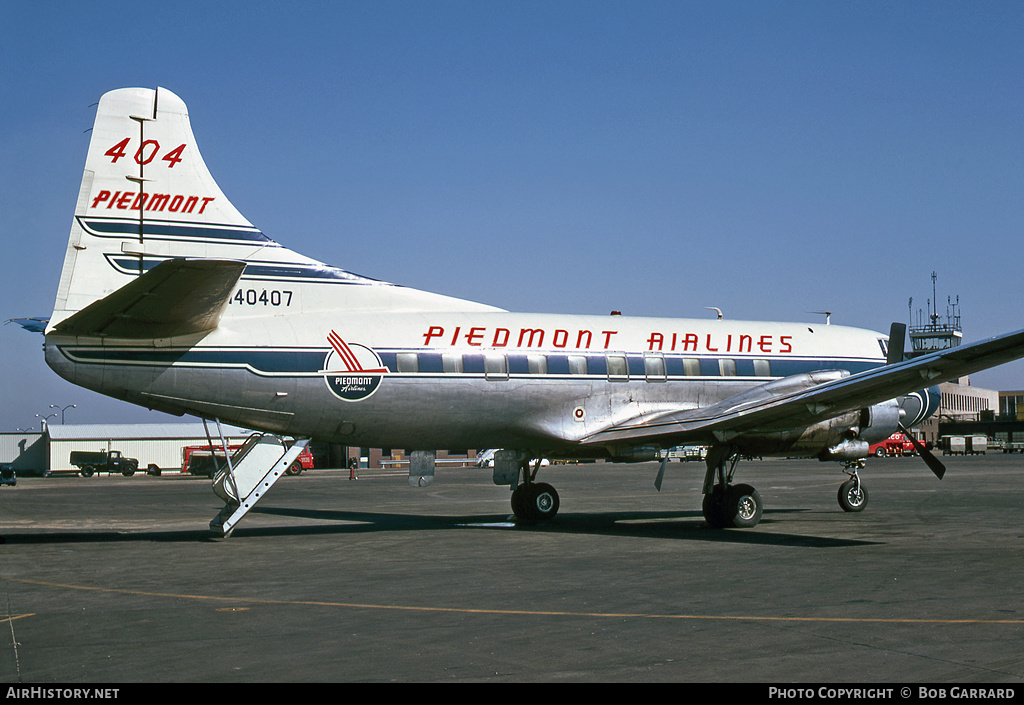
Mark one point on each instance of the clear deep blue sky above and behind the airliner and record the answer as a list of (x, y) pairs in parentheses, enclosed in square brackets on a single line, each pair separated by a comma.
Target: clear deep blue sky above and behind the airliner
[(767, 158)]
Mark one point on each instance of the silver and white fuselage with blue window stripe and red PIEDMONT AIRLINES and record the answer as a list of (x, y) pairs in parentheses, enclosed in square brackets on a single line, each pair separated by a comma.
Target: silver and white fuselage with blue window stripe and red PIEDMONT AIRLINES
[(457, 381)]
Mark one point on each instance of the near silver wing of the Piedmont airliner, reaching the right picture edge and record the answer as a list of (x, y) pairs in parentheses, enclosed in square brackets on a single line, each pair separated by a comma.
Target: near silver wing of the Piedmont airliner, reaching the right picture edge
[(793, 403)]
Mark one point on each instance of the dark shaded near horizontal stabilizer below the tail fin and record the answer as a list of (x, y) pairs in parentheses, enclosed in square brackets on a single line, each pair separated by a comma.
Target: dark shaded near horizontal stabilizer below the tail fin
[(177, 298)]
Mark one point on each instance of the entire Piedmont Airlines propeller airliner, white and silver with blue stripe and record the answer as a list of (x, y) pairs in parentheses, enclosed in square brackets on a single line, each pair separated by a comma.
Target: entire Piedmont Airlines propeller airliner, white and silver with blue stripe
[(169, 299)]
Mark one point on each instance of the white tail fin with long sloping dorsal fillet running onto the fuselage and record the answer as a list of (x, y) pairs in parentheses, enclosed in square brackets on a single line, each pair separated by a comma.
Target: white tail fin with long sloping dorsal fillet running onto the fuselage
[(148, 197)]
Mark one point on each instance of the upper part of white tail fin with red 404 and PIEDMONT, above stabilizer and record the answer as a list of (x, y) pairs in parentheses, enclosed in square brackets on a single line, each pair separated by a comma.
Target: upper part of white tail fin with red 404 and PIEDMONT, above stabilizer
[(147, 197)]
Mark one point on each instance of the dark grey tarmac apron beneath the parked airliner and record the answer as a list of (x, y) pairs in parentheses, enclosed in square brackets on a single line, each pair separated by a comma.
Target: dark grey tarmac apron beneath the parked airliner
[(117, 580)]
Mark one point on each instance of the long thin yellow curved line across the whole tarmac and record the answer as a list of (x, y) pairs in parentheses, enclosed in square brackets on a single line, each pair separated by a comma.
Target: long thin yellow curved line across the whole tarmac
[(521, 613)]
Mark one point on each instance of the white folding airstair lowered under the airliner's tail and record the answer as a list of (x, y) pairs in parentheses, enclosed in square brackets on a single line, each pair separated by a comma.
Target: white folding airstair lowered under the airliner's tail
[(250, 472)]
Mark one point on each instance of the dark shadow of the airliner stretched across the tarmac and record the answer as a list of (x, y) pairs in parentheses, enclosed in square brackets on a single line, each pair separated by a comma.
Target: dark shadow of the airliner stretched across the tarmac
[(679, 526)]
